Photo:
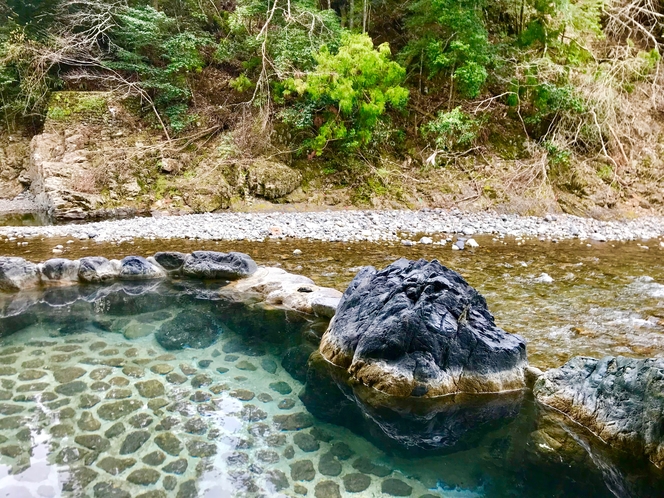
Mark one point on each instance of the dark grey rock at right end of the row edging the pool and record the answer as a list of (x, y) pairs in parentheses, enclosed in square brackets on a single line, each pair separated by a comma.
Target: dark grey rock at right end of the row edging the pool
[(216, 265)]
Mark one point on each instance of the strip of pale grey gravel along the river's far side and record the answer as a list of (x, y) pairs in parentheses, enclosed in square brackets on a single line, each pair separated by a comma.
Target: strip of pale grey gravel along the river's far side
[(436, 225)]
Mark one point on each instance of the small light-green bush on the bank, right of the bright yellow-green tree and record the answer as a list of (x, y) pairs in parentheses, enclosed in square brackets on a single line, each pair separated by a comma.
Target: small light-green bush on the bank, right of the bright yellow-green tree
[(452, 131)]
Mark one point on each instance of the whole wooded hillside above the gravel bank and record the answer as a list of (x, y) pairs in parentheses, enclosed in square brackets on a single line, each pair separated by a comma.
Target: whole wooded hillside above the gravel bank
[(180, 106)]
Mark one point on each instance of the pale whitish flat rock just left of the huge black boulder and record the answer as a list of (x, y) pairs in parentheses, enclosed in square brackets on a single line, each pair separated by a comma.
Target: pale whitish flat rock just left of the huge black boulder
[(278, 287)]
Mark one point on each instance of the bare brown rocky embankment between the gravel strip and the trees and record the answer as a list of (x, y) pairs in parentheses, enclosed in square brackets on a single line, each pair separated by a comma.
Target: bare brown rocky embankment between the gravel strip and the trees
[(95, 159)]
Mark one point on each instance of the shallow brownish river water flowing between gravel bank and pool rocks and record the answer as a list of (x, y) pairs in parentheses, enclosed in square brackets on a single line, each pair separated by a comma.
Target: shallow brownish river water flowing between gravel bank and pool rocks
[(604, 298)]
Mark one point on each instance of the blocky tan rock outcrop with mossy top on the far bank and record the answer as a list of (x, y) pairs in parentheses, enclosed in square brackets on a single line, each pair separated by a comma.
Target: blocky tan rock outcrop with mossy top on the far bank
[(87, 157)]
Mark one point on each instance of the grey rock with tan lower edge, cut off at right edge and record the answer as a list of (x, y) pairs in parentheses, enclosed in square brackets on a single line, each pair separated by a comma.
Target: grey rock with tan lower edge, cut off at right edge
[(617, 398)]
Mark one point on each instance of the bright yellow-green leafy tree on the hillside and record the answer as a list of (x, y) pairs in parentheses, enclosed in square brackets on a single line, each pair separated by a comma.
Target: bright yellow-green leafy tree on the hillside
[(351, 89)]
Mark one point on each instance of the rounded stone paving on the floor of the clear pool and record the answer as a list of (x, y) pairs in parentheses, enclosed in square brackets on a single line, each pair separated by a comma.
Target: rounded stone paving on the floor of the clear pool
[(124, 418)]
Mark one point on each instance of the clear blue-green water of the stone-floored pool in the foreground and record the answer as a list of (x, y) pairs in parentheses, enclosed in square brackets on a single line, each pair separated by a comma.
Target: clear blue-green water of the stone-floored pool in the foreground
[(92, 404)]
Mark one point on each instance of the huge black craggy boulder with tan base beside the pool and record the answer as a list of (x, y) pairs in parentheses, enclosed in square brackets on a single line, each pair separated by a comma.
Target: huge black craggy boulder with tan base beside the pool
[(417, 328)]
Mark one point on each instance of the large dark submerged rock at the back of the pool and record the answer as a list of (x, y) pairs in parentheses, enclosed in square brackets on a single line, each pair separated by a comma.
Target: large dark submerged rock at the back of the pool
[(189, 329)]
